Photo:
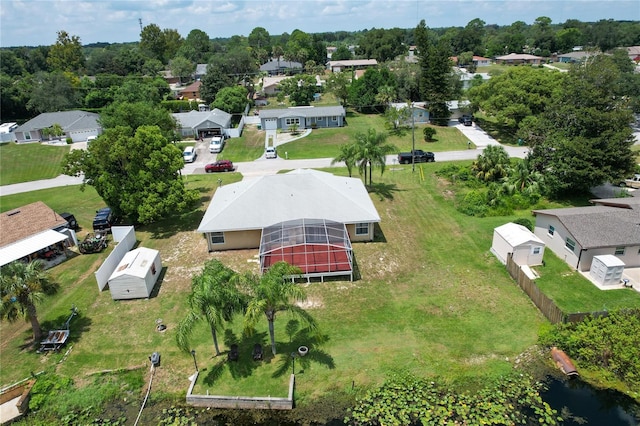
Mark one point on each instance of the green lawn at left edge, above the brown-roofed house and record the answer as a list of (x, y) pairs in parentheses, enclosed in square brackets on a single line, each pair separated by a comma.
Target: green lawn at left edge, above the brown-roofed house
[(28, 162)]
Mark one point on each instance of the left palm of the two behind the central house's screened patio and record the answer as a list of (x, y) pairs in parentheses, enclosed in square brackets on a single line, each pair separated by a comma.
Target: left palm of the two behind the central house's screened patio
[(214, 299)]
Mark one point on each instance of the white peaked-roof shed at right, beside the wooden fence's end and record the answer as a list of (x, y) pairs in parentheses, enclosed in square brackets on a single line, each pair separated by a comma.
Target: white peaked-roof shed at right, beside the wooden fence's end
[(526, 247)]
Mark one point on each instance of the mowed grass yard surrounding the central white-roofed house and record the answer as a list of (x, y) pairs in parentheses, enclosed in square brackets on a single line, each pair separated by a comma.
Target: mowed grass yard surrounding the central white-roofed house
[(432, 300)]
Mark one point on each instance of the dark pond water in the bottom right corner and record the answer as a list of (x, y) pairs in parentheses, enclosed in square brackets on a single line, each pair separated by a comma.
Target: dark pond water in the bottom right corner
[(579, 403)]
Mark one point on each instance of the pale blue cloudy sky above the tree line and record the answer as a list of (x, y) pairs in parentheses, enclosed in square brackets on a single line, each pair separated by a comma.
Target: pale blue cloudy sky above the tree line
[(36, 22)]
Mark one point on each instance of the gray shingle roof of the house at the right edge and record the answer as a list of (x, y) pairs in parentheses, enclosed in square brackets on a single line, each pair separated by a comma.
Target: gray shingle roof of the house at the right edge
[(599, 226)]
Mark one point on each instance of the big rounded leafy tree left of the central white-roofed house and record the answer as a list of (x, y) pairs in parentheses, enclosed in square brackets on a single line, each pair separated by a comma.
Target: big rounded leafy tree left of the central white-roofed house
[(137, 175)]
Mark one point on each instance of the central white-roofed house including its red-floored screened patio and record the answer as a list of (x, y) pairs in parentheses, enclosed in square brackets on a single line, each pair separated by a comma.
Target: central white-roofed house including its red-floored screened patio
[(305, 217)]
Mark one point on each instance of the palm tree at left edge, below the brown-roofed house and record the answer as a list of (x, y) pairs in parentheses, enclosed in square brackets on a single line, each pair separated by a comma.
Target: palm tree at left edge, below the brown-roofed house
[(22, 287)]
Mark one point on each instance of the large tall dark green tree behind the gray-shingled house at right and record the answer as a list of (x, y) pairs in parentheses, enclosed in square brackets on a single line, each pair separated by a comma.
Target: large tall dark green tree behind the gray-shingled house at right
[(584, 138)]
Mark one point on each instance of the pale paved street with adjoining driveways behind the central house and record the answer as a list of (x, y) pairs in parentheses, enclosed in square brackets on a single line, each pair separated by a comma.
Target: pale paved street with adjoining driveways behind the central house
[(263, 166)]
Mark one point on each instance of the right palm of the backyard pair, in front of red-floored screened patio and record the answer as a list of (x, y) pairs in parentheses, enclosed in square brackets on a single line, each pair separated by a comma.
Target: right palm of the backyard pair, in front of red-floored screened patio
[(273, 292)]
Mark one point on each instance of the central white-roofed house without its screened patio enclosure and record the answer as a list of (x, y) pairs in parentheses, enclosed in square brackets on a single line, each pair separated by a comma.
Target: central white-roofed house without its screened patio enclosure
[(239, 212)]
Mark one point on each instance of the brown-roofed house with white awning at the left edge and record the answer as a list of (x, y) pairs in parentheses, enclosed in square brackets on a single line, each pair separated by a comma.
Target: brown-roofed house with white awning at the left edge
[(34, 231)]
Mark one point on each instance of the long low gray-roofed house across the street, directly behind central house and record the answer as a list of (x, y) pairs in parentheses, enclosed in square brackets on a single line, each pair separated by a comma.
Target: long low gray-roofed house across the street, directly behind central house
[(305, 117)]
